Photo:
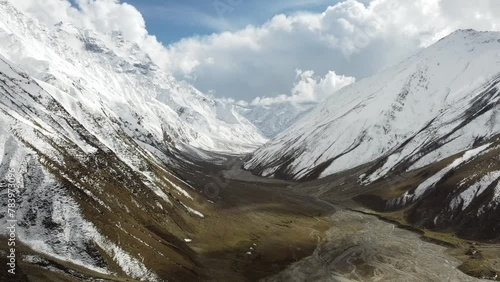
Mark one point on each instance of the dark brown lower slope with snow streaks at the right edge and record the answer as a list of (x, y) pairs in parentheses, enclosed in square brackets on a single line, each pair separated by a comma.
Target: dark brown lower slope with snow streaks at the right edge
[(458, 195)]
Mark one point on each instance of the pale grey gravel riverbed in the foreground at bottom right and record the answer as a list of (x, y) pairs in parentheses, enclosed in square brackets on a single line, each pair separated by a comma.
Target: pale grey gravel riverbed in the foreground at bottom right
[(361, 247)]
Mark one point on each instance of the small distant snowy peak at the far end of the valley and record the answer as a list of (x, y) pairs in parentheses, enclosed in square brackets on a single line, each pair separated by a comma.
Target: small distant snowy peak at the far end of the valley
[(274, 119)]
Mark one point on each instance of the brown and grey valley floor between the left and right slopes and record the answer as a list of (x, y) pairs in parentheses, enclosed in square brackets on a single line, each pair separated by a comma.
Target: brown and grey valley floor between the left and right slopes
[(261, 229)]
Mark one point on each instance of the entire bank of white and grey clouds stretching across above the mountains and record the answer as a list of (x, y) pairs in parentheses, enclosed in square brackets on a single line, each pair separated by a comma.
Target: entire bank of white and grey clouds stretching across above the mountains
[(350, 38)]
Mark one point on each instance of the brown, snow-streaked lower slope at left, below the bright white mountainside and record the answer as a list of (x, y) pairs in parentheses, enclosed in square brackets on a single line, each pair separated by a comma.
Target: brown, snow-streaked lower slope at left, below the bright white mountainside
[(76, 199)]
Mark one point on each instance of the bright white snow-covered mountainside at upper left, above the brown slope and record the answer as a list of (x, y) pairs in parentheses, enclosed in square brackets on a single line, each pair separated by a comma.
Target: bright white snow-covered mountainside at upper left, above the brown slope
[(107, 76)]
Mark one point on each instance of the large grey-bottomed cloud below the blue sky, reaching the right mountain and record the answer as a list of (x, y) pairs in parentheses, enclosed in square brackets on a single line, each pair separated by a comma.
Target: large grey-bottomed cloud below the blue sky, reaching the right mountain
[(350, 38)]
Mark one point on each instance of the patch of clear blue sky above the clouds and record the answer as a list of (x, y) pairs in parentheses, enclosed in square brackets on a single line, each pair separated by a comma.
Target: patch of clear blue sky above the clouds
[(172, 20)]
